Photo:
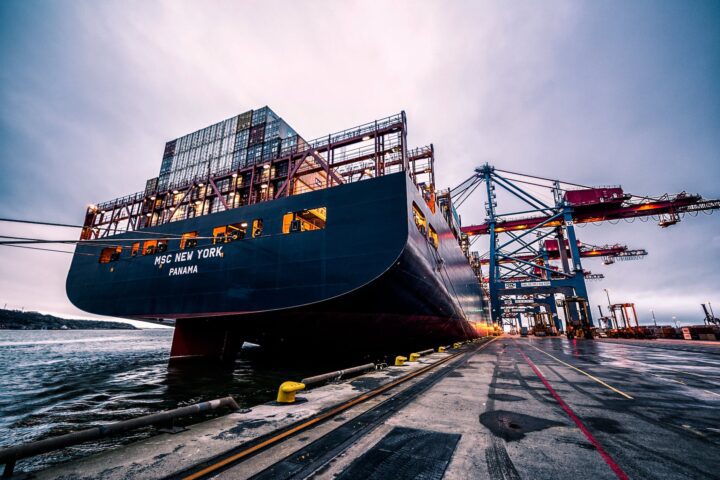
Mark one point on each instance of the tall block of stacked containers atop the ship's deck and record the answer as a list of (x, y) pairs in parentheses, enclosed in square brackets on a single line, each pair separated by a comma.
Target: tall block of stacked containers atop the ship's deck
[(244, 140)]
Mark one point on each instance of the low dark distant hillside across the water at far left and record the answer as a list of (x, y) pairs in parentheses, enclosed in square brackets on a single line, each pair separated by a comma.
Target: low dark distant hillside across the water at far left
[(17, 320)]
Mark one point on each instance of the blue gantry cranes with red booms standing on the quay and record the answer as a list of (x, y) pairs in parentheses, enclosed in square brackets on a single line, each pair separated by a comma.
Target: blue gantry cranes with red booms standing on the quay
[(523, 241)]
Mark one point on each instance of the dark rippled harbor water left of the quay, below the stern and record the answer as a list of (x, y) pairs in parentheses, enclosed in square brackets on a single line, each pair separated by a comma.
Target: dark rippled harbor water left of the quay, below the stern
[(53, 382)]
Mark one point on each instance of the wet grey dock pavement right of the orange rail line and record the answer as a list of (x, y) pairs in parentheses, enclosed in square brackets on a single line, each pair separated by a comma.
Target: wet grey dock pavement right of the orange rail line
[(538, 408)]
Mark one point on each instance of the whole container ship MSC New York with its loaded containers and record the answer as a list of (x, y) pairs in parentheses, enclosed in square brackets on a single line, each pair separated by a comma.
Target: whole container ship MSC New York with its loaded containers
[(251, 233)]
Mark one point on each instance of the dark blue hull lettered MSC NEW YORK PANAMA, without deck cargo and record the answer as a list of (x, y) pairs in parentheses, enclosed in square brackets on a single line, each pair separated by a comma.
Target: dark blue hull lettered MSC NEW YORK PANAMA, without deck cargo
[(369, 281)]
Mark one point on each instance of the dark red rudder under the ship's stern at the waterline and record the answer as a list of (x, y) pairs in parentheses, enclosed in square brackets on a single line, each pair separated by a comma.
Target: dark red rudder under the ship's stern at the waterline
[(204, 340)]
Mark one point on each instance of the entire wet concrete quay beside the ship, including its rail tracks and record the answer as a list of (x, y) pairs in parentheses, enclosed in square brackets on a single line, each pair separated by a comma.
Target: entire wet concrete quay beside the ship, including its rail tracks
[(501, 408)]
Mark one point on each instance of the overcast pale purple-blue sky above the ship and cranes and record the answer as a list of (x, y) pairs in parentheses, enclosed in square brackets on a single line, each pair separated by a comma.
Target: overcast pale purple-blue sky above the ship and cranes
[(591, 92)]
